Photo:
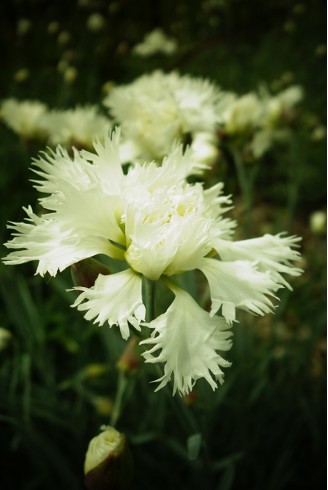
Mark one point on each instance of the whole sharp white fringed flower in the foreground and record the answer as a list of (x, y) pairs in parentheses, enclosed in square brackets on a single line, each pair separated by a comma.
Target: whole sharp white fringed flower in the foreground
[(159, 226)]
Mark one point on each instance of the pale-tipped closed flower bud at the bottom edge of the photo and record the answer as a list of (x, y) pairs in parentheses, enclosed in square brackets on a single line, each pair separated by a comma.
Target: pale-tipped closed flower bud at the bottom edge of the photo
[(108, 462)]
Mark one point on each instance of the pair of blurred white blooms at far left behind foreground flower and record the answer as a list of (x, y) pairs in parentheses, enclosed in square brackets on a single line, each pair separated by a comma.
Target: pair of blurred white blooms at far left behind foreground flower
[(32, 119)]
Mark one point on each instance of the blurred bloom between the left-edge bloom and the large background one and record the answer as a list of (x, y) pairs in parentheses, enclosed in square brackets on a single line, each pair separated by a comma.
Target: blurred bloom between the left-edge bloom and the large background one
[(79, 126)]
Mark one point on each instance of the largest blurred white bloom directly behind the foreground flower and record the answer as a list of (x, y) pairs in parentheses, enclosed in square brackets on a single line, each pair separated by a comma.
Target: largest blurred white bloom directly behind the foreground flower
[(158, 110)]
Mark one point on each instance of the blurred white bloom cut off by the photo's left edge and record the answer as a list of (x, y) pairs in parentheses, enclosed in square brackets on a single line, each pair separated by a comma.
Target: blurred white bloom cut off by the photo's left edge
[(24, 117)]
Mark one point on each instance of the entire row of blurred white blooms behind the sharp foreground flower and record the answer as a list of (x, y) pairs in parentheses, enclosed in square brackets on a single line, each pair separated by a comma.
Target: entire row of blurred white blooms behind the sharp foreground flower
[(158, 110)]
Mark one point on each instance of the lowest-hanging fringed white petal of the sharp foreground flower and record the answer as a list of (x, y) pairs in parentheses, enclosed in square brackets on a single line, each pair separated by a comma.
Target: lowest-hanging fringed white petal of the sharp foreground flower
[(188, 339)]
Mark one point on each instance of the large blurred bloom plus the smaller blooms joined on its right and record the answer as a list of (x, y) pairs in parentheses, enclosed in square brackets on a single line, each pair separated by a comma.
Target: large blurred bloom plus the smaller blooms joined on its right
[(158, 109)]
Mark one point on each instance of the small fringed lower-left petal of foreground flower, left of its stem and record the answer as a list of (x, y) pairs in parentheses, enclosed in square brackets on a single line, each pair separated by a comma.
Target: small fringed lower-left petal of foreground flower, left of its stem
[(116, 299)]
